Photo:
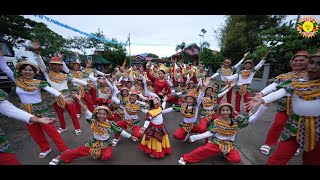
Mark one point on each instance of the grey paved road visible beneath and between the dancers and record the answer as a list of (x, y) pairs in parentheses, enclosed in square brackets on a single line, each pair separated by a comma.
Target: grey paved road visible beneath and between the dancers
[(126, 152)]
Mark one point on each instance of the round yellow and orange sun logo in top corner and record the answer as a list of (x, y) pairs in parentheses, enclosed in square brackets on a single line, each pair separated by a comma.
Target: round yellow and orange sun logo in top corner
[(308, 27)]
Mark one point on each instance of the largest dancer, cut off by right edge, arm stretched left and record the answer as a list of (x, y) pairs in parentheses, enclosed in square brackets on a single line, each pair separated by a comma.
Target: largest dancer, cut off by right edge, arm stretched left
[(302, 128)]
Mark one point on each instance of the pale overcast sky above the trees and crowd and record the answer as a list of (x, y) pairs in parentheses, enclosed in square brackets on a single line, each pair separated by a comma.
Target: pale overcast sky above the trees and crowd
[(160, 34)]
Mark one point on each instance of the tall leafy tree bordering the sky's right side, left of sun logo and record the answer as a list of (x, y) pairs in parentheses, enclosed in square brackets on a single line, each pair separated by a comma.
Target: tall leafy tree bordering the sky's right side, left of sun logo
[(241, 33)]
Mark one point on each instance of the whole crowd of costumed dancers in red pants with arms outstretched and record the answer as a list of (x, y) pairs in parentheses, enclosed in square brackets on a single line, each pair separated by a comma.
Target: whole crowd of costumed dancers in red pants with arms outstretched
[(111, 104)]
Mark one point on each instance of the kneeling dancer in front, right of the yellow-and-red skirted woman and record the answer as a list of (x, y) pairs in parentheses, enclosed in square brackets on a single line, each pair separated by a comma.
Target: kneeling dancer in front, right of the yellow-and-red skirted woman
[(223, 131)]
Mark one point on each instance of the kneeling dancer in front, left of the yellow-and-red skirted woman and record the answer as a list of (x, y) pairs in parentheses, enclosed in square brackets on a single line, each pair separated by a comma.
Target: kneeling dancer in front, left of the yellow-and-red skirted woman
[(98, 146)]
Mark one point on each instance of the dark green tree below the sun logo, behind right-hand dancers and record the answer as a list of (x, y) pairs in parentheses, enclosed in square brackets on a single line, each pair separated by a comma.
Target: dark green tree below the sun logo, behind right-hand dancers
[(283, 42)]
